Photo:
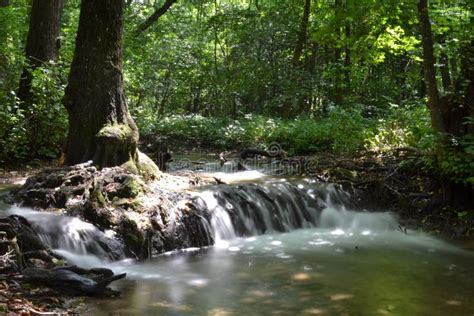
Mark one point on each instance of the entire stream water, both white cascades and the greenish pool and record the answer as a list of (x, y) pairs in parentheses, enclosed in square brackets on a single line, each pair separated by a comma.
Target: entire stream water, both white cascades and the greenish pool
[(283, 247)]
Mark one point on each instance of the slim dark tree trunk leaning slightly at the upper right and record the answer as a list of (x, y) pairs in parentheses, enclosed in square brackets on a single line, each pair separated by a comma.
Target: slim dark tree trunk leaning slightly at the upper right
[(429, 71)]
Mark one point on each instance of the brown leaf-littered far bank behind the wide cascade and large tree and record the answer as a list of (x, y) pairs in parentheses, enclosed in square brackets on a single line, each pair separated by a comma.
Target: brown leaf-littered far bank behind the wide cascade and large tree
[(394, 182)]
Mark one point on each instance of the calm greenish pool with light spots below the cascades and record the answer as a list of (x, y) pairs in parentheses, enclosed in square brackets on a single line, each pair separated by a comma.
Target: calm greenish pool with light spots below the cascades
[(304, 272)]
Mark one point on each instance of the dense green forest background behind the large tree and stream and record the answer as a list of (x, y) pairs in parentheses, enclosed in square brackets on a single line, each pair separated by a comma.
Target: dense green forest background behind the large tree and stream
[(340, 76)]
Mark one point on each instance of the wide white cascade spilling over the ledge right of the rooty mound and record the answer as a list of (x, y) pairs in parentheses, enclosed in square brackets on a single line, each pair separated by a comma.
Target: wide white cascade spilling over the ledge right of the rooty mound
[(282, 206)]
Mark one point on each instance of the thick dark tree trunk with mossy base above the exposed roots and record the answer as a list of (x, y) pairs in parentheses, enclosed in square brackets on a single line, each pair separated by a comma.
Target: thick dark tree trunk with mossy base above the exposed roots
[(100, 126)]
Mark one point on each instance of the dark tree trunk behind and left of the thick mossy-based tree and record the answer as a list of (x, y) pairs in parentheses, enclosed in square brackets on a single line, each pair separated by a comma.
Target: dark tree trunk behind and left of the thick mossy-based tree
[(42, 46)]
